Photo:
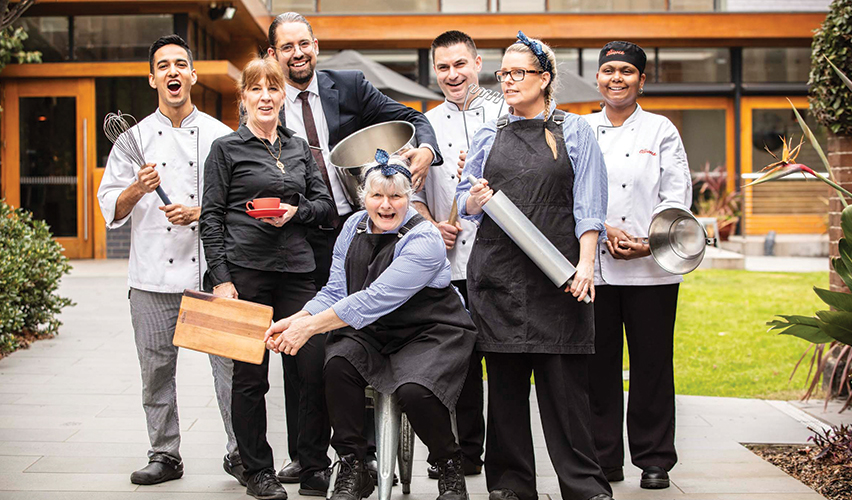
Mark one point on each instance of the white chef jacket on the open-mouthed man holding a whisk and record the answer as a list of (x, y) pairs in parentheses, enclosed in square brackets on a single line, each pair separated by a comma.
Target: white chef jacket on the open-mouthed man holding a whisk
[(163, 257)]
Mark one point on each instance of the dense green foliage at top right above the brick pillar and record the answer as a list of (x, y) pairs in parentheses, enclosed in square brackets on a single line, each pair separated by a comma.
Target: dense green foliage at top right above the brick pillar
[(832, 42)]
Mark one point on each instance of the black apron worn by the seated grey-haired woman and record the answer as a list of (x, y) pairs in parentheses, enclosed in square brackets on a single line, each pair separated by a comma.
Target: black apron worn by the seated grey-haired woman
[(428, 340)]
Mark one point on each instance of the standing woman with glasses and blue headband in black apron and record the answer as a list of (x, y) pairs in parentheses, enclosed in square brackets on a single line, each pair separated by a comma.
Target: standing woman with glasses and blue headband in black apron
[(549, 164)]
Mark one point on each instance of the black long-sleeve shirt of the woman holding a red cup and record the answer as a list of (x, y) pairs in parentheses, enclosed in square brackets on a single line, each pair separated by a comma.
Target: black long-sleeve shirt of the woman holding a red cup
[(240, 168)]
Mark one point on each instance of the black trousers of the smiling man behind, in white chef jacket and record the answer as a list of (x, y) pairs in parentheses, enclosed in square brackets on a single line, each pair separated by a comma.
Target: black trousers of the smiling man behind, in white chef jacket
[(469, 419)]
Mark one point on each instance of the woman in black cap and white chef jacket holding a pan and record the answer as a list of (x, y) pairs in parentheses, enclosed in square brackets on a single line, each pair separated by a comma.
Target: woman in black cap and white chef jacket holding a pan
[(647, 171)]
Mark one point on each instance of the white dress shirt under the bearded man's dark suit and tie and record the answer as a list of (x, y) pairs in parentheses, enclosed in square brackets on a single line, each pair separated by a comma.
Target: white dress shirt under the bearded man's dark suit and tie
[(293, 114)]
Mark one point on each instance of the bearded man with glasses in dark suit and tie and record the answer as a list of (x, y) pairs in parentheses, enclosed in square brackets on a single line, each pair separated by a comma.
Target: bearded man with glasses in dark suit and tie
[(324, 107)]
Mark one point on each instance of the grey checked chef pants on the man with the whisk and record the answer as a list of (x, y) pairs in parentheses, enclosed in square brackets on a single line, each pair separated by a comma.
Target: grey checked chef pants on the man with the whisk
[(154, 316)]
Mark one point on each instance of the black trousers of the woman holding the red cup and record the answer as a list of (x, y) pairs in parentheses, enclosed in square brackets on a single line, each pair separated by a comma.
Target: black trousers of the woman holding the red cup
[(286, 293)]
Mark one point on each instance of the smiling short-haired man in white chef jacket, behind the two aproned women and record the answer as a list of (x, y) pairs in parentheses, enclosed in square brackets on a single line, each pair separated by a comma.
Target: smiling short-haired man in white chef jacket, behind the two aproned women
[(457, 66)]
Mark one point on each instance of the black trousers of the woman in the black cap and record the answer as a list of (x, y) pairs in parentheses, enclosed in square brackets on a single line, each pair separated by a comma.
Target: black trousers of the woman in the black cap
[(647, 315)]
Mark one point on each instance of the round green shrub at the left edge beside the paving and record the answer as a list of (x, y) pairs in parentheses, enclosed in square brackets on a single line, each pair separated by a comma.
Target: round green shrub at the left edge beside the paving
[(31, 265)]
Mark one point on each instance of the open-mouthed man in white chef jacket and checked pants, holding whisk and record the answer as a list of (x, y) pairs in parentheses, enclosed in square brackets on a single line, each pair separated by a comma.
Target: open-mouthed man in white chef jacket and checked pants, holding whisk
[(165, 250)]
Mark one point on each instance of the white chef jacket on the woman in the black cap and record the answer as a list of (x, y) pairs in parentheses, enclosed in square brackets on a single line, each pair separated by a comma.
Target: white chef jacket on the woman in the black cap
[(647, 172)]
